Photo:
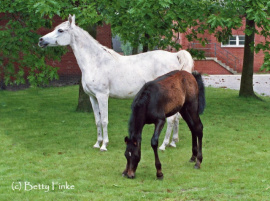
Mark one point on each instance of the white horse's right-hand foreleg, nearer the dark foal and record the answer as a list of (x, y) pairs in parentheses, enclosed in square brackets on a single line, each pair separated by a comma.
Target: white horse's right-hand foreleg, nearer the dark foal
[(103, 107)]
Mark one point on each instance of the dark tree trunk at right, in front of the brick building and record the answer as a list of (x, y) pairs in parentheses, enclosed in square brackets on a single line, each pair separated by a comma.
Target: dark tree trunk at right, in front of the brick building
[(246, 87)]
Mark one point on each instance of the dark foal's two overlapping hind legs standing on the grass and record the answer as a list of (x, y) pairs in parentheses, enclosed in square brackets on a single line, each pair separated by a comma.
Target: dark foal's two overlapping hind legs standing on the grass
[(191, 116)]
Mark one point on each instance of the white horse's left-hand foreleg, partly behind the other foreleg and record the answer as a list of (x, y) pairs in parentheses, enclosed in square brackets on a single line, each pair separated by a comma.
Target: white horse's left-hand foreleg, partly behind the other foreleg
[(97, 120)]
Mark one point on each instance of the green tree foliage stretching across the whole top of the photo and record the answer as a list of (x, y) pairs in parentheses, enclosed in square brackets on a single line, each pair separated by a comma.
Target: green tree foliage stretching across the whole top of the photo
[(152, 23)]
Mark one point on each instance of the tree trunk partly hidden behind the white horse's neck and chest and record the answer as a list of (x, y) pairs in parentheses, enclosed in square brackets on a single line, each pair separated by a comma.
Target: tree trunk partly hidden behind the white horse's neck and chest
[(84, 104)]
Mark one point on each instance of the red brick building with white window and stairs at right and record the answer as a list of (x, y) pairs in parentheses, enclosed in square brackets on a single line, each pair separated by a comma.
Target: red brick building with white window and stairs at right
[(224, 58)]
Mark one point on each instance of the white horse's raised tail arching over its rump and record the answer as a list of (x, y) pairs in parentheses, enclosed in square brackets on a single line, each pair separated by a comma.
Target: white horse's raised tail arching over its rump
[(185, 60)]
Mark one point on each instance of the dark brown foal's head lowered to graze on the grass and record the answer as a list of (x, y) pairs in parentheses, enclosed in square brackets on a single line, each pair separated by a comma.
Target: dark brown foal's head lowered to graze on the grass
[(133, 156)]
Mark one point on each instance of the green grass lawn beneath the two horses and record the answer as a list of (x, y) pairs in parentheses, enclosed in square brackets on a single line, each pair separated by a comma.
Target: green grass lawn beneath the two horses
[(45, 143)]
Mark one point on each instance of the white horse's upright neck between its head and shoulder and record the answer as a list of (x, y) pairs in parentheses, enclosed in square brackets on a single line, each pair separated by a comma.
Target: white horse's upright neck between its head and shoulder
[(88, 52)]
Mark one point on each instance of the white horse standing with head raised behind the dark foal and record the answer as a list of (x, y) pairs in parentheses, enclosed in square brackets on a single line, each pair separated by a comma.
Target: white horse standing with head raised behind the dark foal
[(106, 73)]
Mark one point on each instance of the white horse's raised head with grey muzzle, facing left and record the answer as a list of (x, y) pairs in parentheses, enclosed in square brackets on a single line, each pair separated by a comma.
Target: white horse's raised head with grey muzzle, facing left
[(60, 35)]
